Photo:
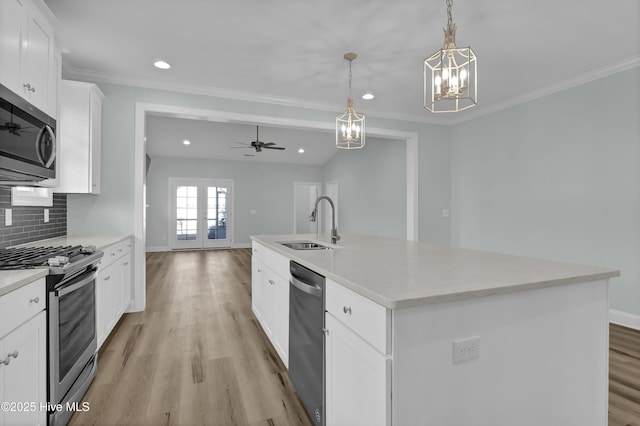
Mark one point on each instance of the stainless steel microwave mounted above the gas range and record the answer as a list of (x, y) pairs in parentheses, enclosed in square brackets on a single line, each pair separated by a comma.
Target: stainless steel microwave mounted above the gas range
[(27, 141)]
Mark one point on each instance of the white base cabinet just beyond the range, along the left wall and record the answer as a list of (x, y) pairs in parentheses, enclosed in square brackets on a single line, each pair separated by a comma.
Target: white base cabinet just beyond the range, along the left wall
[(113, 288)]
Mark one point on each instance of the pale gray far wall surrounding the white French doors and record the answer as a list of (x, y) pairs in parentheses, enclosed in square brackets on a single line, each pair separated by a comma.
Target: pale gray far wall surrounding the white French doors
[(265, 187)]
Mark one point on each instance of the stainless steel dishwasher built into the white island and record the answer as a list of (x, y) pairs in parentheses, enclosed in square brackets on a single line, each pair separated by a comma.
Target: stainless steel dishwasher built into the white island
[(306, 338)]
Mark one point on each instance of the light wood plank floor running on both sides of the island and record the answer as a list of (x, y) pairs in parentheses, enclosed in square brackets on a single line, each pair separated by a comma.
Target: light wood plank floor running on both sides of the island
[(197, 355)]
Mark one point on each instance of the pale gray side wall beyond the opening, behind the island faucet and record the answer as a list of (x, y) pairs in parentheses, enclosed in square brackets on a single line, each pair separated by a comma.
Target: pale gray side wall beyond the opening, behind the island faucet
[(373, 190)]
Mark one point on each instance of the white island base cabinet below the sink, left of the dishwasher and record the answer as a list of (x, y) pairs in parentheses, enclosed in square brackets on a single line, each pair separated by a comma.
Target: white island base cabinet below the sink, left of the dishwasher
[(270, 297)]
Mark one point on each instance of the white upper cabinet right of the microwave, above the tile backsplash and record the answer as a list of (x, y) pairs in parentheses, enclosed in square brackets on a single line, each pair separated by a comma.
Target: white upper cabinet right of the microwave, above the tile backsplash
[(79, 137)]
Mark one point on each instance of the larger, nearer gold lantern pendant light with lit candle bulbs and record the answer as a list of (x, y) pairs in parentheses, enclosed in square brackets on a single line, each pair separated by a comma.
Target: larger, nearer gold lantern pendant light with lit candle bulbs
[(450, 74)]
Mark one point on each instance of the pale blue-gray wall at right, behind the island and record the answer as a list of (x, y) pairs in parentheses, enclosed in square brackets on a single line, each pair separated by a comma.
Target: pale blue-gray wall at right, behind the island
[(557, 178)]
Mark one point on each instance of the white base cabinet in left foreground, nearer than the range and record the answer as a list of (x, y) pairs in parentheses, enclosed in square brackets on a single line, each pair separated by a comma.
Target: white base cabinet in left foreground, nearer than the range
[(23, 355)]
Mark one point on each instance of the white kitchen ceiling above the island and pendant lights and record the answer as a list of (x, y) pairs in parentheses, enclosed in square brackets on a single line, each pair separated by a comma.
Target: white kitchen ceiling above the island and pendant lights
[(290, 52)]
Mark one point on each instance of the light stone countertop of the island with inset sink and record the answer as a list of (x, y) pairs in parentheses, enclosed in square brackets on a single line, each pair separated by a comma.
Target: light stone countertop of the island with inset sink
[(402, 274)]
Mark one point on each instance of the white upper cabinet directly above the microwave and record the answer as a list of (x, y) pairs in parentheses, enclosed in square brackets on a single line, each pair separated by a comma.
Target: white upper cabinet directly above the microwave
[(27, 53)]
